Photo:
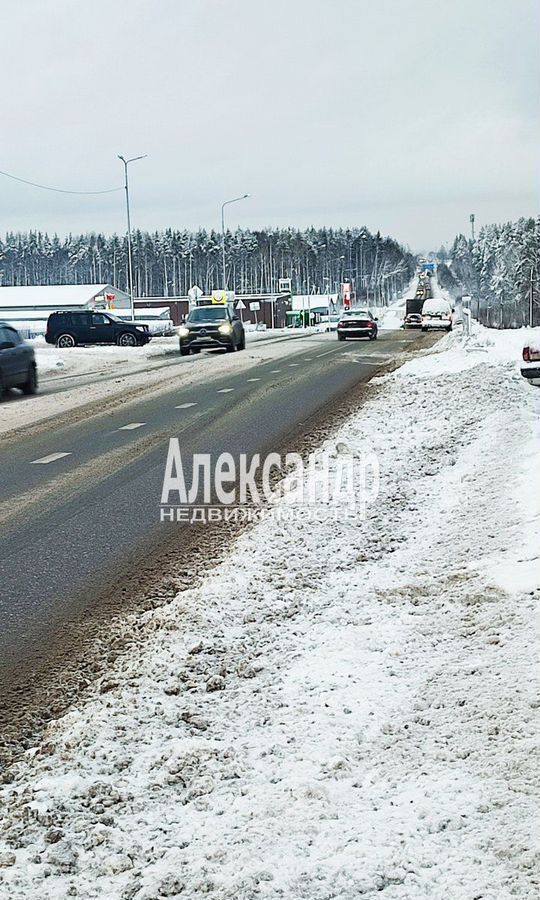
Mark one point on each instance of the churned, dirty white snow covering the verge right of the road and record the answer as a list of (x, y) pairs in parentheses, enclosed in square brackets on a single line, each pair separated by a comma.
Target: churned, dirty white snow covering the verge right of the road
[(339, 711)]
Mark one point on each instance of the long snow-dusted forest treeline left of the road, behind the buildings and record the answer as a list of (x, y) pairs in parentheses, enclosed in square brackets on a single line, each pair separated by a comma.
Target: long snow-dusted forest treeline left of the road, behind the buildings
[(167, 263)]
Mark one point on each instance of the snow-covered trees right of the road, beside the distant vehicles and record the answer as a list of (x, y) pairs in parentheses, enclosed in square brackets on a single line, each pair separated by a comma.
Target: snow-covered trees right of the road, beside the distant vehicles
[(500, 270)]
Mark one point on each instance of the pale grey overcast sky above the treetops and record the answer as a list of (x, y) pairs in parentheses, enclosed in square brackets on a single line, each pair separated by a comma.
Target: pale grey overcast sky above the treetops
[(404, 115)]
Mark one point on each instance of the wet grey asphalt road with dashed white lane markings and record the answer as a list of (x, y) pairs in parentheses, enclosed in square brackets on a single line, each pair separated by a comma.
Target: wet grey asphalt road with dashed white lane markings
[(80, 502)]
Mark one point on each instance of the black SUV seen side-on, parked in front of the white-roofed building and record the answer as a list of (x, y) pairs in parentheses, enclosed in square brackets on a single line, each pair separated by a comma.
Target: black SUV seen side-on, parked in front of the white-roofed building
[(87, 326)]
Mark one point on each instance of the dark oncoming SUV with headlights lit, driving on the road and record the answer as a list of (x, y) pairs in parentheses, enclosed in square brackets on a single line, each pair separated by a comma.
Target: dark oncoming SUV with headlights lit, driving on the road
[(211, 326)]
